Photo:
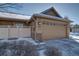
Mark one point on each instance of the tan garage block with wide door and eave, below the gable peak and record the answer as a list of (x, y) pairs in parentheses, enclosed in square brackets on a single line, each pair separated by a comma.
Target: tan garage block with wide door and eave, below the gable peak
[(50, 27)]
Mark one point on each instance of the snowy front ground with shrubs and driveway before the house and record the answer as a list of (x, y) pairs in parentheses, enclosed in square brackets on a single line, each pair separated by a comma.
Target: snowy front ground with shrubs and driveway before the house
[(28, 46)]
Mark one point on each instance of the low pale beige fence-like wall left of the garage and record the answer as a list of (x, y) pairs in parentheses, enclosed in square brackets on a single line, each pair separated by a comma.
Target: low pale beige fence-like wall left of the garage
[(15, 32)]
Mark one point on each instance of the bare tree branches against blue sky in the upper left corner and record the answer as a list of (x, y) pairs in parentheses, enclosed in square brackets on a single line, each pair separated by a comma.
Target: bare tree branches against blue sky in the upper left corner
[(7, 6)]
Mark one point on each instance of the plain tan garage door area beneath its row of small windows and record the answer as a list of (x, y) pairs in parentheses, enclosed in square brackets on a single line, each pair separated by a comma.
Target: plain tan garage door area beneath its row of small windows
[(54, 32)]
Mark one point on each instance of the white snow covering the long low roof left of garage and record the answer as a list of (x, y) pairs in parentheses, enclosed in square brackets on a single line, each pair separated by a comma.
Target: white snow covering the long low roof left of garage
[(14, 16)]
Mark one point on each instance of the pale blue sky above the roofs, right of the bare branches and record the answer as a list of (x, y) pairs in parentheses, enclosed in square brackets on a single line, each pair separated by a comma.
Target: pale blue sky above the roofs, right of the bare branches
[(65, 10)]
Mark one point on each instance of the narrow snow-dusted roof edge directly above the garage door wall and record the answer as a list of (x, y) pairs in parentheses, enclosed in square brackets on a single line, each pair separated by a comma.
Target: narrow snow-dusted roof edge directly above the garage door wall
[(51, 17)]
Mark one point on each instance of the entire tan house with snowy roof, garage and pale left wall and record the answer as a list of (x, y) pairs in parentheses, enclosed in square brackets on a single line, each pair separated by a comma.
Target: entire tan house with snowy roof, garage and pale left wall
[(43, 26)]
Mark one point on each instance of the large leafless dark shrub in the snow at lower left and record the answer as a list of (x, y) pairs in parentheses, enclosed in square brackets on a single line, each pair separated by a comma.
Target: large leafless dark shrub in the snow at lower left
[(17, 48)]
